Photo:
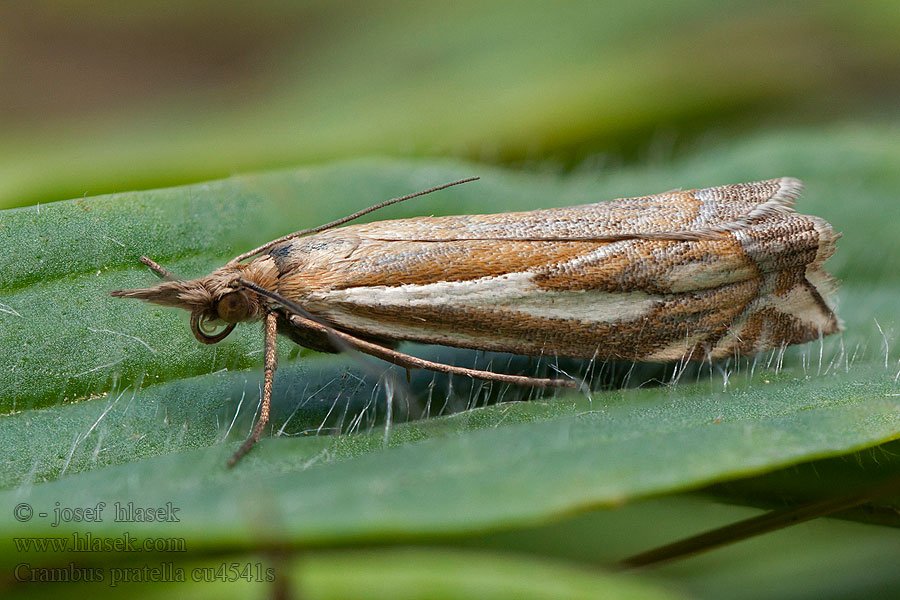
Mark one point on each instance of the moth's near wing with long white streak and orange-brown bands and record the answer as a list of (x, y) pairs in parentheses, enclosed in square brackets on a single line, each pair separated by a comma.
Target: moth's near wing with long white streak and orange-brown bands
[(634, 299)]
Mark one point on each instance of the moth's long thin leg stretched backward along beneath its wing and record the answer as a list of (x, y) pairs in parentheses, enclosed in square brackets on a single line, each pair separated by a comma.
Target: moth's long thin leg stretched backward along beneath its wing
[(412, 362)]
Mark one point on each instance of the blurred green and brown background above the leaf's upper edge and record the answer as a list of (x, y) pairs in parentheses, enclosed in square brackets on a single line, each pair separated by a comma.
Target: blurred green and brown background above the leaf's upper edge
[(99, 97)]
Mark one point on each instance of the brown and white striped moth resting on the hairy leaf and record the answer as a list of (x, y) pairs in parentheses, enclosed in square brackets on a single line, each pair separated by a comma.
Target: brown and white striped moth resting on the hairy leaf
[(684, 275)]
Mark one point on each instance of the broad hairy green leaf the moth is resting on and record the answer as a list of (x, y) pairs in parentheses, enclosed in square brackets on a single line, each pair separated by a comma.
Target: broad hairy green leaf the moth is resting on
[(113, 401)]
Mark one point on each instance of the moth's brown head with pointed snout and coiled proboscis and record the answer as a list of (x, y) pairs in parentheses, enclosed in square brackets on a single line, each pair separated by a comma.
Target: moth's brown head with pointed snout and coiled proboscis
[(214, 301)]
